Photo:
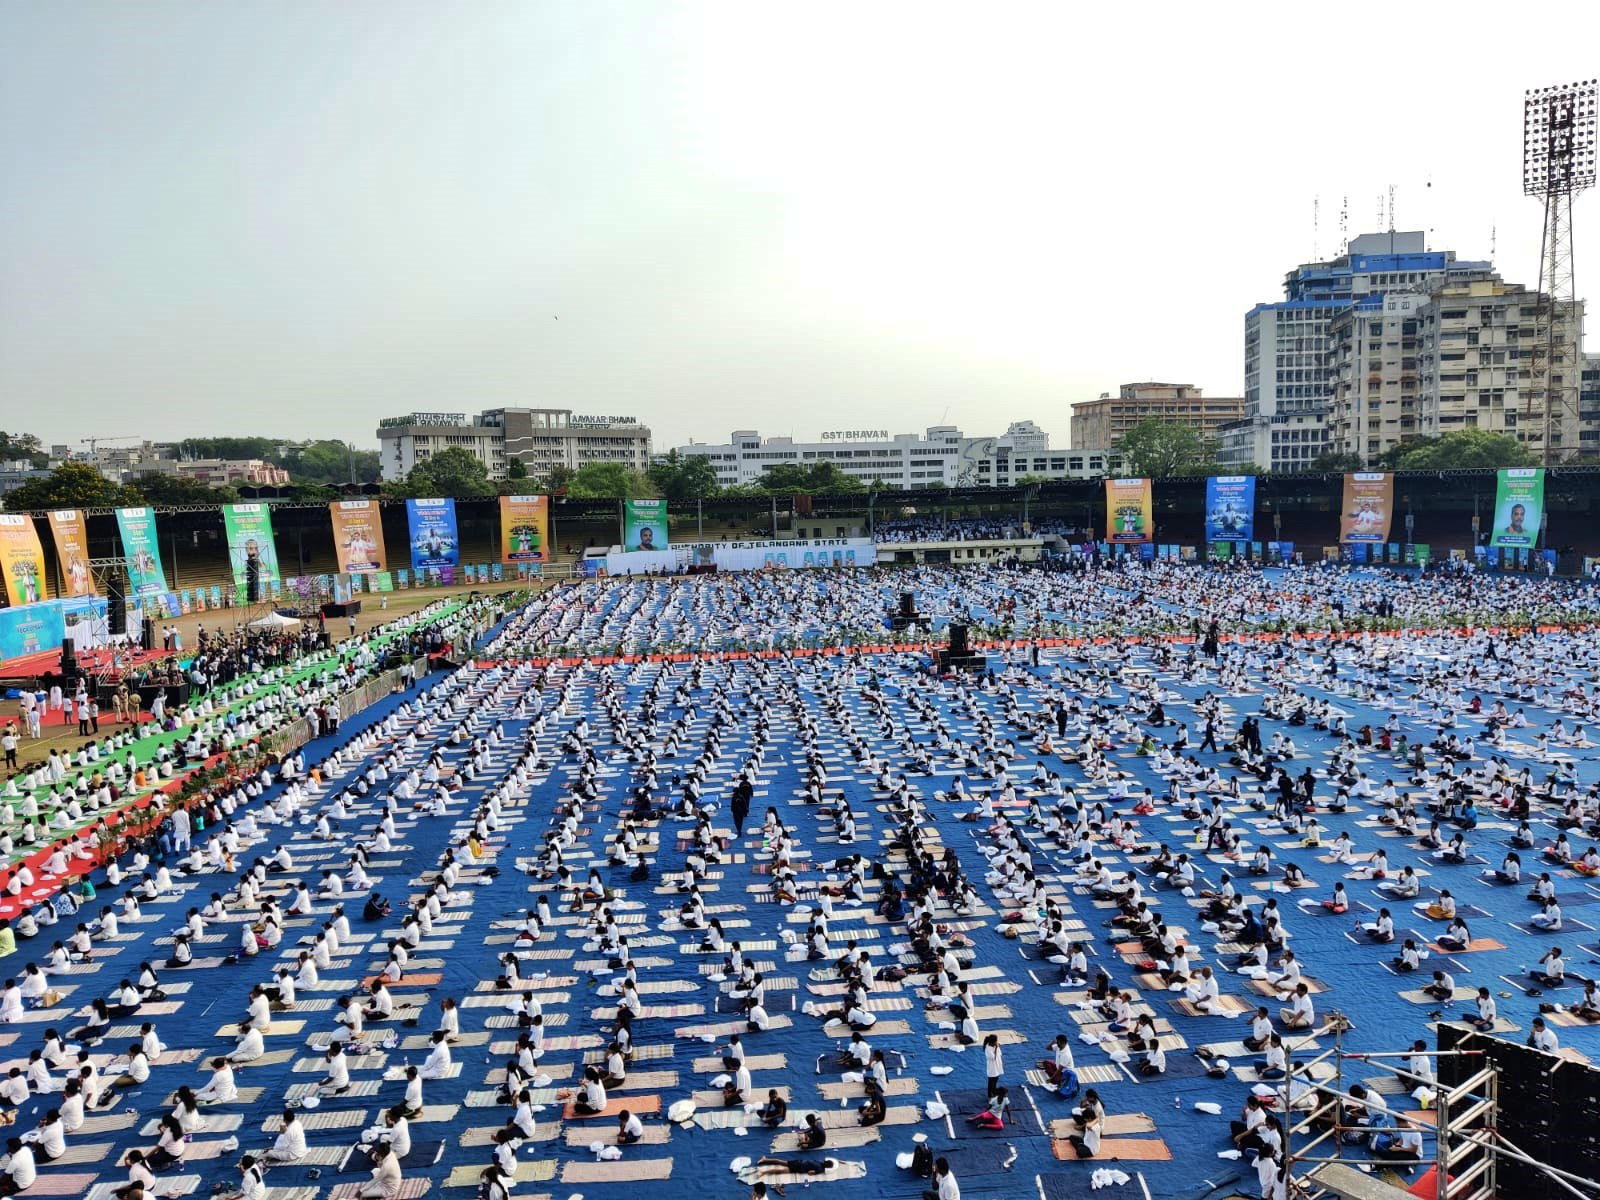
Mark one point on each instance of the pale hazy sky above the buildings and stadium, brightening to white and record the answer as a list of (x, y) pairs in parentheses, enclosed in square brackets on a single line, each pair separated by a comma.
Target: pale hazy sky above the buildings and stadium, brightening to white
[(297, 218)]
